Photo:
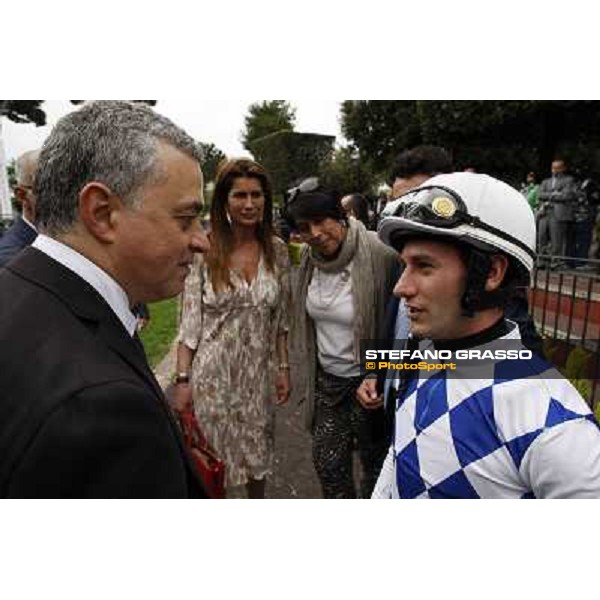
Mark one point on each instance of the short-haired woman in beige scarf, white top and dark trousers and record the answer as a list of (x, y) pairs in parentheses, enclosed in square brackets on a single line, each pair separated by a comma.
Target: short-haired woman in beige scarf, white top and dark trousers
[(344, 279)]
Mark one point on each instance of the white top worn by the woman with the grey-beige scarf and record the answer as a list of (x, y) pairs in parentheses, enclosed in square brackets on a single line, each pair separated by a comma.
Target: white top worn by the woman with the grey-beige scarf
[(330, 305)]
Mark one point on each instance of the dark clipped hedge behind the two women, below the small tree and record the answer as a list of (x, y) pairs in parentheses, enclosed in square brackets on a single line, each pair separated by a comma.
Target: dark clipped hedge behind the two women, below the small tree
[(289, 156)]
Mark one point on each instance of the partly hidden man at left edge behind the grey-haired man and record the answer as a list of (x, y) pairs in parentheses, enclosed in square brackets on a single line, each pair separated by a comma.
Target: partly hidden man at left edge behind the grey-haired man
[(22, 232)]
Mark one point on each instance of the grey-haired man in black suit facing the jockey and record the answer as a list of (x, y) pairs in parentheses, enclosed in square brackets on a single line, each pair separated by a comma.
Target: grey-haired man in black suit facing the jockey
[(119, 190)]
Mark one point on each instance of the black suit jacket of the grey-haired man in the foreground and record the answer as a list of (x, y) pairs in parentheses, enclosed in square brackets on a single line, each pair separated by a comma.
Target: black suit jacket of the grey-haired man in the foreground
[(81, 414)]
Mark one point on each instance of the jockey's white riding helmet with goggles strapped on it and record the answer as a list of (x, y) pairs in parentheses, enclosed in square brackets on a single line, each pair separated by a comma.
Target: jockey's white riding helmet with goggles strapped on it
[(474, 208)]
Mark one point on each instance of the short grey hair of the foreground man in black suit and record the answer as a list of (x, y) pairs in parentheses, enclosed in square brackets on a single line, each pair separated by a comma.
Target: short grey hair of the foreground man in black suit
[(108, 141)]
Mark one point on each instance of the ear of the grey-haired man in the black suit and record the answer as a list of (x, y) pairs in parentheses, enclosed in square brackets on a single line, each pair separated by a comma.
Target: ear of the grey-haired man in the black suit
[(98, 211)]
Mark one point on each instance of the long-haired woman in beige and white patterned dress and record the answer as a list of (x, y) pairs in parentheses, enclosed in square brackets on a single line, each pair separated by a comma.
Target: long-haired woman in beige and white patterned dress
[(232, 359)]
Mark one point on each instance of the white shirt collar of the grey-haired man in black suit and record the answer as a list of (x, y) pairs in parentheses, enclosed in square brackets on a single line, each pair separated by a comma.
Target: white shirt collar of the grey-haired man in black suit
[(101, 281)]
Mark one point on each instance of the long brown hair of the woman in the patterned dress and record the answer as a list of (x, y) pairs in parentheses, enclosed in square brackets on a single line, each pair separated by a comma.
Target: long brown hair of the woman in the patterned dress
[(221, 236)]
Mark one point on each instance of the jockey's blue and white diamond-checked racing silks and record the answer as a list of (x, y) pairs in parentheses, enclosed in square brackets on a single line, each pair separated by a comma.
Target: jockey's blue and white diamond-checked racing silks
[(517, 433)]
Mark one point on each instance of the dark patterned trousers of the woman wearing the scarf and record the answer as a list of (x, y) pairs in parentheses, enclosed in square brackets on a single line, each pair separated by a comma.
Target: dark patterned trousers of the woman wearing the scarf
[(341, 424)]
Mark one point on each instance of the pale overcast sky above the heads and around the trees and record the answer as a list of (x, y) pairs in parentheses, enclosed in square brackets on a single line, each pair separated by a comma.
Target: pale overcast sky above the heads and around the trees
[(216, 121)]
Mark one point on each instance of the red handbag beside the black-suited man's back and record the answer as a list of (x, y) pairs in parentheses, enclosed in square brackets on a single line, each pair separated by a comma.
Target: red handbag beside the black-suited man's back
[(208, 465)]
